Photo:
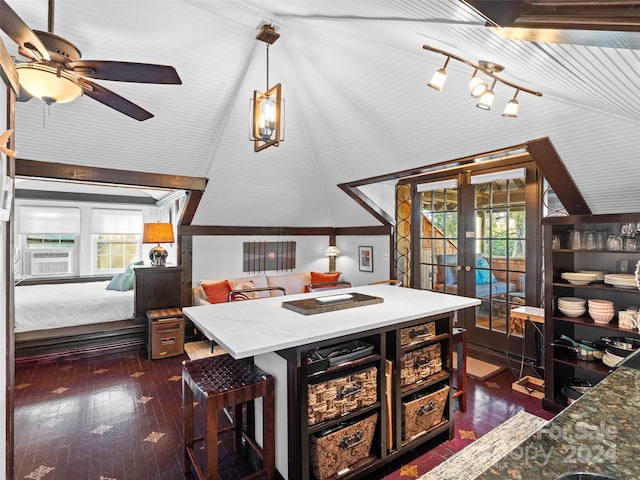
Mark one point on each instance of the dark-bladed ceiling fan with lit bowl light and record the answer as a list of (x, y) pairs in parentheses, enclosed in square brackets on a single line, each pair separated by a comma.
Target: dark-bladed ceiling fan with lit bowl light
[(55, 73)]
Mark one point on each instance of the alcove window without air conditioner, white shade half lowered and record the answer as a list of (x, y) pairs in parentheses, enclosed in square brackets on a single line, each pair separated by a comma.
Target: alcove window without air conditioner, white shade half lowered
[(117, 237)]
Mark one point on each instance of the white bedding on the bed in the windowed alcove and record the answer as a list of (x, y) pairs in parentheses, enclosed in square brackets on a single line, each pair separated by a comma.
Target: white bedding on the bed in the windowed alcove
[(40, 307)]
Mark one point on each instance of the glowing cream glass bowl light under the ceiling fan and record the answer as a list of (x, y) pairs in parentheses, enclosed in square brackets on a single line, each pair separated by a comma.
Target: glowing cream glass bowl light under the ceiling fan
[(50, 84)]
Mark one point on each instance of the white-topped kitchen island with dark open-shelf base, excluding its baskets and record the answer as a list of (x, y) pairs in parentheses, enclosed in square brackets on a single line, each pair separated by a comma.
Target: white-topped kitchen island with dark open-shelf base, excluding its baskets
[(282, 342)]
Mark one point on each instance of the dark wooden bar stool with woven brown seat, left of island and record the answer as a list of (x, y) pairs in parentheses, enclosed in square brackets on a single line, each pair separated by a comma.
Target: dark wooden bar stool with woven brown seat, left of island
[(218, 382)]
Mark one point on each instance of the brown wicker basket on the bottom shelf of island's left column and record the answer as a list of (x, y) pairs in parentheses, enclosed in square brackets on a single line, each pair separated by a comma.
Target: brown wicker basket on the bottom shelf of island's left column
[(334, 452)]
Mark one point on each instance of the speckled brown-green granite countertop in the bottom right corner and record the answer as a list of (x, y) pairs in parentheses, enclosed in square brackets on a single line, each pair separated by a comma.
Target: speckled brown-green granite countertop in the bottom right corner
[(597, 434)]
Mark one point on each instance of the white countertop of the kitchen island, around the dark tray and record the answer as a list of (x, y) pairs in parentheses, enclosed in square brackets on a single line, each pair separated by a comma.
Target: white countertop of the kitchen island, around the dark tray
[(255, 327)]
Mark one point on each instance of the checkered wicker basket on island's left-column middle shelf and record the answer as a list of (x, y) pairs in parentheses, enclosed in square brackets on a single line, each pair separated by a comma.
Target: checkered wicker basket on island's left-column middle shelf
[(341, 395)]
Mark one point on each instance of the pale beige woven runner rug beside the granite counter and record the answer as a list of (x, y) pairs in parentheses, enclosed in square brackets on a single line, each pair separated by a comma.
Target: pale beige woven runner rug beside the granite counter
[(477, 457)]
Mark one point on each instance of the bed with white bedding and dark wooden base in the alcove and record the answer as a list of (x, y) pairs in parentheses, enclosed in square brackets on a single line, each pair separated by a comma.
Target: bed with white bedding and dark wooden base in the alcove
[(54, 320)]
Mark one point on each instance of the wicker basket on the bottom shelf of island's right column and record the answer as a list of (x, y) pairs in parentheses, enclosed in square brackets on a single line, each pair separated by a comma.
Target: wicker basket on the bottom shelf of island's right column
[(421, 414)]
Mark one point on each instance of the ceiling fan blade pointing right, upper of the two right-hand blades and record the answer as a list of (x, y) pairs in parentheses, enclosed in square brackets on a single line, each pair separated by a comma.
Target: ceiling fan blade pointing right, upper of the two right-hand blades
[(126, 71)]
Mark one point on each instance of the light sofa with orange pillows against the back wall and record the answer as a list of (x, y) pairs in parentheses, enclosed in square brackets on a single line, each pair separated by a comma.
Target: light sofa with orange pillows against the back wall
[(259, 286)]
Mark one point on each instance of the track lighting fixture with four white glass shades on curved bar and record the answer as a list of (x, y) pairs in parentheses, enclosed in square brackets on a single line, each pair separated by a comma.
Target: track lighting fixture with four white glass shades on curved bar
[(477, 86)]
